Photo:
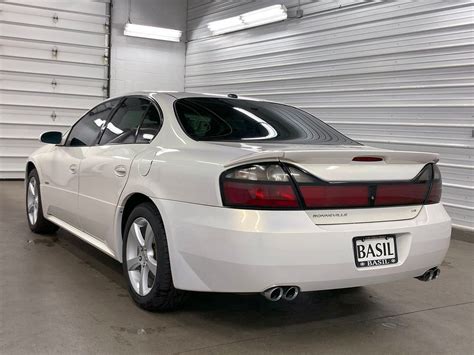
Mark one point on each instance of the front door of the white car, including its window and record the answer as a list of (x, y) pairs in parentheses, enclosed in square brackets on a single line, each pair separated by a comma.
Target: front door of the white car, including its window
[(61, 170)]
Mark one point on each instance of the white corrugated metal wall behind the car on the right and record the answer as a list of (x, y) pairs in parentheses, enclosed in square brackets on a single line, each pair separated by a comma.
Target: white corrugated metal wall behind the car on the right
[(392, 74)]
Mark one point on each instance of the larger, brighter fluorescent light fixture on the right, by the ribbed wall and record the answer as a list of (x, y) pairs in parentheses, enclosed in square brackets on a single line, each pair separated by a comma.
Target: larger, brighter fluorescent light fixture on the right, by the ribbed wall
[(250, 19)]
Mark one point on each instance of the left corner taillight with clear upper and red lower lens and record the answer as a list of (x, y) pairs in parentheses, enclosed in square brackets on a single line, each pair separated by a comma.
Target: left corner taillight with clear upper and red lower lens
[(259, 186)]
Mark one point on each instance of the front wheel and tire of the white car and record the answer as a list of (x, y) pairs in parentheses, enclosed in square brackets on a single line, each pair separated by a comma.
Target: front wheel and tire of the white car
[(34, 207)]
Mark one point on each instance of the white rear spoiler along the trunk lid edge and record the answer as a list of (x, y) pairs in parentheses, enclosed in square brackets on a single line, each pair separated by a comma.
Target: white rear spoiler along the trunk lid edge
[(336, 156)]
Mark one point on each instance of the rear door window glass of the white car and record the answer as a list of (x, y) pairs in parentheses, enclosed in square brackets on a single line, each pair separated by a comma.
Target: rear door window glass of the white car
[(124, 125)]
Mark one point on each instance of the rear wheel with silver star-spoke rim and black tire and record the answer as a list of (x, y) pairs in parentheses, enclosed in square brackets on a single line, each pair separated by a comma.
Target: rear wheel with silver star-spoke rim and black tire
[(143, 253)]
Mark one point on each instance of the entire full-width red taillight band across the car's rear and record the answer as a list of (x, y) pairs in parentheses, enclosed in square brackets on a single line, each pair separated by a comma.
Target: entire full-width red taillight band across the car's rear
[(275, 186)]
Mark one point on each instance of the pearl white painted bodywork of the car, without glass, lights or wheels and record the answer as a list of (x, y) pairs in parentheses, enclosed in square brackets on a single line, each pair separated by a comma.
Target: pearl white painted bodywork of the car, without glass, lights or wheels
[(216, 248)]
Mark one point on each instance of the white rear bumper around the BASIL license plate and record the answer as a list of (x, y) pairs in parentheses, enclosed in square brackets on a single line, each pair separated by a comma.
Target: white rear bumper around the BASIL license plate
[(231, 250)]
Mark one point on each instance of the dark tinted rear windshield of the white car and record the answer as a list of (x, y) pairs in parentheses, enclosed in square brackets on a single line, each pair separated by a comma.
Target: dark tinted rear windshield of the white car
[(221, 119)]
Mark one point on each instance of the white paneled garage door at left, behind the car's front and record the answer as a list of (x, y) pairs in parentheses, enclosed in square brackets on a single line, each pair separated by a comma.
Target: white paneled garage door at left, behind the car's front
[(53, 67)]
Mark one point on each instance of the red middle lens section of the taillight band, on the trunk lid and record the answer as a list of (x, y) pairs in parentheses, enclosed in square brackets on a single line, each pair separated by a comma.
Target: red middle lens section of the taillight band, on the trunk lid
[(328, 196)]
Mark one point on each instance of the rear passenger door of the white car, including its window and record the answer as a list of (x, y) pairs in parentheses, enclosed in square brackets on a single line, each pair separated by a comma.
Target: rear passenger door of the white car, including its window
[(105, 167)]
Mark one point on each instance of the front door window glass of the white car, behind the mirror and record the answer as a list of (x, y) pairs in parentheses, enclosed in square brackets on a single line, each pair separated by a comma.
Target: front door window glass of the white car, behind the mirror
[(86, 131)]
